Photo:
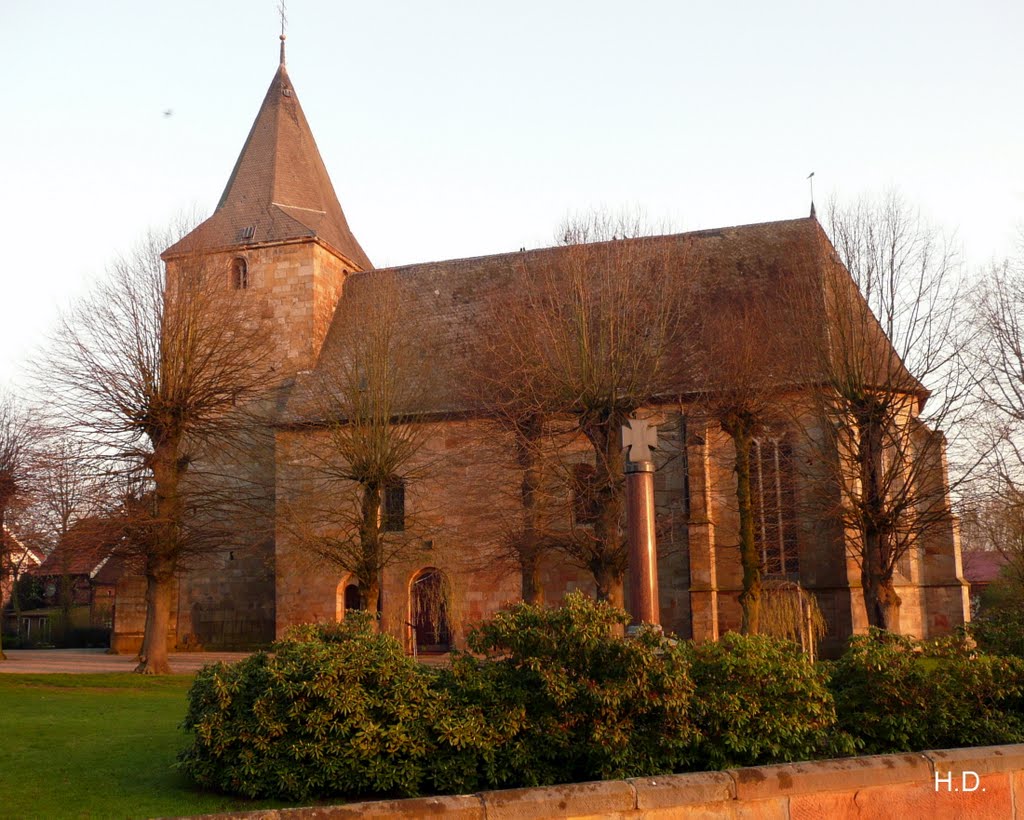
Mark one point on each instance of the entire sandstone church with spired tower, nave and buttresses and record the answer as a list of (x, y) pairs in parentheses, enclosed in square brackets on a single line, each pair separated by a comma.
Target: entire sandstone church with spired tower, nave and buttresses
[(280, 234)]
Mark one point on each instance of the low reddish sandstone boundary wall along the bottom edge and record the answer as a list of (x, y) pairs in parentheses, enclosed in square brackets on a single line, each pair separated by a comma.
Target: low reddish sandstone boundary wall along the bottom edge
[(978, 784)]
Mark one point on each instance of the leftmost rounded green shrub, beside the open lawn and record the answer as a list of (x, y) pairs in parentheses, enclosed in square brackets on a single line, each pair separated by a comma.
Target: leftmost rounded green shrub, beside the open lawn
[(336, 711)]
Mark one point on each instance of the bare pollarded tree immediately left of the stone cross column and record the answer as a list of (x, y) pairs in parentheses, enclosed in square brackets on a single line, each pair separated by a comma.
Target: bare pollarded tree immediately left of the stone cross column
[(592, 335)]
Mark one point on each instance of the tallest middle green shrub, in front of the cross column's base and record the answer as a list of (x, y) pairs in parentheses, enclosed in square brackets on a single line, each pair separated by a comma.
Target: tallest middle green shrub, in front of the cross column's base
[(559, 699)]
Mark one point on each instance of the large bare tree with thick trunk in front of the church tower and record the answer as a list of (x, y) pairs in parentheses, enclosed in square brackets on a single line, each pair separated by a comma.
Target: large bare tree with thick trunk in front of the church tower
[(154, 375)]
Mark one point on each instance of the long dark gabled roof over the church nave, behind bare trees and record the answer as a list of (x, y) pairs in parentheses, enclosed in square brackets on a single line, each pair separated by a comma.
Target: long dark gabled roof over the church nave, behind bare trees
[(776, 275)]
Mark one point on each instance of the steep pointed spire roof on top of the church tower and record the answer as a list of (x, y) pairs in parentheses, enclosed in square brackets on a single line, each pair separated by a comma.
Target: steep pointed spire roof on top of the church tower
[(280, 187)]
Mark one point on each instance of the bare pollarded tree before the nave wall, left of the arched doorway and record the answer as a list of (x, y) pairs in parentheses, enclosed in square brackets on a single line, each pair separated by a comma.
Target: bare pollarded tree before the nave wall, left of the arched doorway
[(362, 439)]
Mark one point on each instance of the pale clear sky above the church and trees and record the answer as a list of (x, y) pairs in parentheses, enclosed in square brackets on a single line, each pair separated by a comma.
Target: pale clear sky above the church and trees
[(463, 128)]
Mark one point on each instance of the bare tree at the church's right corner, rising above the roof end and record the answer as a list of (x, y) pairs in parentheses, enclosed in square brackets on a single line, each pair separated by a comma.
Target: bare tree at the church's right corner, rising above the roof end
[(894, 342)]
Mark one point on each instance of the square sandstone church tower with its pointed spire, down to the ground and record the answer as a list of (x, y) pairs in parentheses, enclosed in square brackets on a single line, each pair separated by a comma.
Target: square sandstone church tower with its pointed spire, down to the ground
[(278, 236)]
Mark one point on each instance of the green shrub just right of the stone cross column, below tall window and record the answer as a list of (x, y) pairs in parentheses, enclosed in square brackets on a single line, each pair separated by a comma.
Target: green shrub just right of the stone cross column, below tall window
[(759, 701)]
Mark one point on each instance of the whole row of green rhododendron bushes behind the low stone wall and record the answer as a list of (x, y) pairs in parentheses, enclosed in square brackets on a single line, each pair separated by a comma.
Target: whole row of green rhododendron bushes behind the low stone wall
[(553, 696)]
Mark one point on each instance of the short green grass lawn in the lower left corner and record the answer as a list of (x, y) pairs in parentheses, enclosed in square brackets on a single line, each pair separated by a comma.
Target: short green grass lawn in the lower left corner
[(98, 746)]
